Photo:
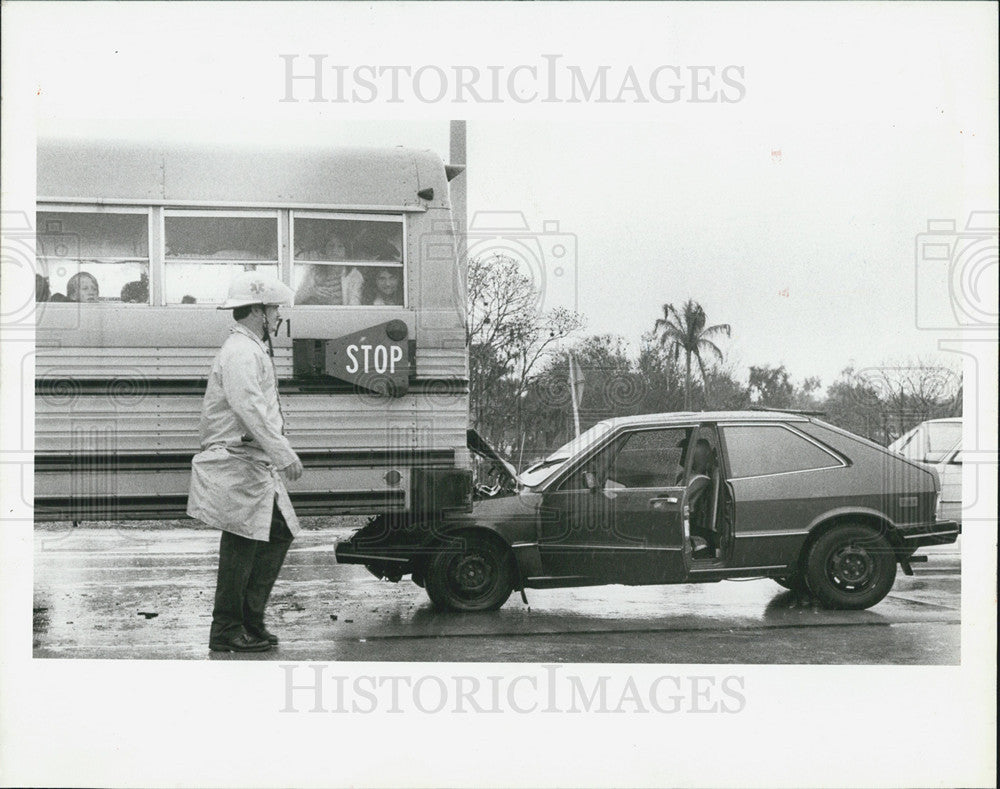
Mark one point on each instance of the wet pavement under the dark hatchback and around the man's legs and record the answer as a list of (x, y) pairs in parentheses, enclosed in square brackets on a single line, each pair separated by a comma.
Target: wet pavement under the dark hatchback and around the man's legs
[(147, 594)]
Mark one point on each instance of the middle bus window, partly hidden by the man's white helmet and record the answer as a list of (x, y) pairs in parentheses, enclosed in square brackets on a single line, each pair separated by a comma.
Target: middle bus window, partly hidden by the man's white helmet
[(203, 250)]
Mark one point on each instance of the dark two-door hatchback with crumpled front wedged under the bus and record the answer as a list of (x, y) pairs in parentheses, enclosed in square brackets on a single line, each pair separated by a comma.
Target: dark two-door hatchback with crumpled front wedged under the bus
[(680, 498)]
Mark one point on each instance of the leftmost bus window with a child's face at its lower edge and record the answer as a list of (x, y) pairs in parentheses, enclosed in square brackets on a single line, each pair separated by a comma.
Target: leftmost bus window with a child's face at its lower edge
[(93, 257)]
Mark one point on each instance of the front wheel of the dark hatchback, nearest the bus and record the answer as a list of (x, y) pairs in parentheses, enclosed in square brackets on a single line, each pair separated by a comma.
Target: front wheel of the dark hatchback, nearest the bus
[(476, 575)]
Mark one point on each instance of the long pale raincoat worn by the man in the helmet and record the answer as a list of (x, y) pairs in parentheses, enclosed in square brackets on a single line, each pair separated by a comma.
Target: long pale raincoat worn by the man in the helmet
[(234, 479)]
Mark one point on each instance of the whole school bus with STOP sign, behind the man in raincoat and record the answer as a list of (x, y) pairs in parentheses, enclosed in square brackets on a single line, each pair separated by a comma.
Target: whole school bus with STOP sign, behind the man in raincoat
[(136, 245)]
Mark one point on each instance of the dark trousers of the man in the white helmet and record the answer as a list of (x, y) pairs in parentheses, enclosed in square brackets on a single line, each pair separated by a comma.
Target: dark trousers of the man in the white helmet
[(247, 572)]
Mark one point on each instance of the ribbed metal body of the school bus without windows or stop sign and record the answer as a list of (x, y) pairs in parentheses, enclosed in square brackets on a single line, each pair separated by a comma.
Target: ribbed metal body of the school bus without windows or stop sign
[(119, 385)]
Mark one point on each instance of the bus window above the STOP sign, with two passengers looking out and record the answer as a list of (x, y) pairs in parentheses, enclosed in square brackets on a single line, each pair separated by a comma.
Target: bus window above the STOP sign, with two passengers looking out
[(351, 260)]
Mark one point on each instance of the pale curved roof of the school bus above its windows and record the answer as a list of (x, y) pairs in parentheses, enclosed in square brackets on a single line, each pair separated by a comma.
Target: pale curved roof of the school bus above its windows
[(228, 175)]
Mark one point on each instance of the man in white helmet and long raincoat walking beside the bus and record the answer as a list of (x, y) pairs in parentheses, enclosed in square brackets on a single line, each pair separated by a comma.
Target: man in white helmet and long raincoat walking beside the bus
[(236, 480)]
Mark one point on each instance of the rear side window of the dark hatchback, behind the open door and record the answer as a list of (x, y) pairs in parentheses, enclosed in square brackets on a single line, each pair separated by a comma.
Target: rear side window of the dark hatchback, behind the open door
[(757, 450)]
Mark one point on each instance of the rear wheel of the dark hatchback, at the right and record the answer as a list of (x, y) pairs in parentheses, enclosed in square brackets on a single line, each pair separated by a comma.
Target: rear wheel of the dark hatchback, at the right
[(850, 567)]
